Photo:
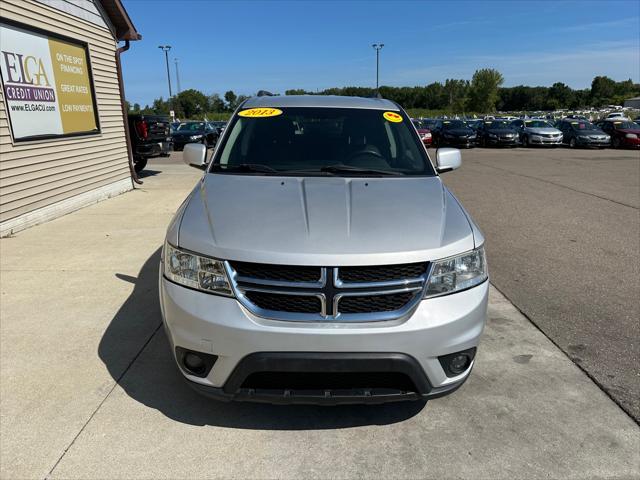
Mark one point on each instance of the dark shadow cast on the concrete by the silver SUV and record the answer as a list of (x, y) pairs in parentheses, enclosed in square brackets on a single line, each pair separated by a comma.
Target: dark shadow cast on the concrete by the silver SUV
[(136, 352)]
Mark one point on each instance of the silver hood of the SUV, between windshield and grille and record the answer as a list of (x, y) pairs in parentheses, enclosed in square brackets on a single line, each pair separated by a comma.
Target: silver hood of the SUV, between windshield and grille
[(328, 221)]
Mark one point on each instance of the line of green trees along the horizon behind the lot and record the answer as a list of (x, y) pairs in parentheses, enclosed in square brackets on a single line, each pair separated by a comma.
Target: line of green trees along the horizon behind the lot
[(484, 93)]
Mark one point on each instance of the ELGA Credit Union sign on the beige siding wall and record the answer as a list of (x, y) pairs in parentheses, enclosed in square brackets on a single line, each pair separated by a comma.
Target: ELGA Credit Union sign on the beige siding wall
[(46, 83)]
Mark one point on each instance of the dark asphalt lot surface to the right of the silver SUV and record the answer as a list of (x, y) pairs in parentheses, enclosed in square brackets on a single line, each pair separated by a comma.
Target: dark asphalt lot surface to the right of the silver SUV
[(563, 244)]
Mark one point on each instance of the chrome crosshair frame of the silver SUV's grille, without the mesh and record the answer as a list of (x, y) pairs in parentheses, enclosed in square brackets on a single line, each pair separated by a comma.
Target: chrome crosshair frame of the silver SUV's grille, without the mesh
[(329, 290)]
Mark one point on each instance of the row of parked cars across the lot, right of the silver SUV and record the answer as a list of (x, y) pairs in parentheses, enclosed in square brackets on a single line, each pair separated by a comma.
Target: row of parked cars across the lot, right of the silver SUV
[(617, 132)]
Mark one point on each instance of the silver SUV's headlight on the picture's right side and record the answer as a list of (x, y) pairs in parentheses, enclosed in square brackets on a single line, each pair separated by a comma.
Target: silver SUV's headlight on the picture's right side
[(457, 273)]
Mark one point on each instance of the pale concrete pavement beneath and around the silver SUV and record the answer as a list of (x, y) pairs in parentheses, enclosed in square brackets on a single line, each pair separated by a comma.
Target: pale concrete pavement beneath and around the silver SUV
[(89, 390)]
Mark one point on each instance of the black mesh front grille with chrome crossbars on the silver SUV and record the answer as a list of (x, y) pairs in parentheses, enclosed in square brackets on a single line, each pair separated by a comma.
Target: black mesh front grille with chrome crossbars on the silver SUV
[(343, 294)]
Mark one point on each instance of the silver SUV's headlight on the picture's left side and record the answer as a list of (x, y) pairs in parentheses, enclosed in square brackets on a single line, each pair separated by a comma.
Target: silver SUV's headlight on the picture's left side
[(195, 271)]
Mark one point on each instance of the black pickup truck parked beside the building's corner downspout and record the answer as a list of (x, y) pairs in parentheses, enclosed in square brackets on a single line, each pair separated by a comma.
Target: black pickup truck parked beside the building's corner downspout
[(150, 137)]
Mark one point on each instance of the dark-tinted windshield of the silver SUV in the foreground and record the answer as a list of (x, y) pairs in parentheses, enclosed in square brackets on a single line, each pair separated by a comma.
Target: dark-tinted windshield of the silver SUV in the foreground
[(321, 141)]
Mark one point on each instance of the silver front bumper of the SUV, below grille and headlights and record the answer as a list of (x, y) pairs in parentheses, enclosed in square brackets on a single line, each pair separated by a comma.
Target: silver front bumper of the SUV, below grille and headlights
[(221, 326)]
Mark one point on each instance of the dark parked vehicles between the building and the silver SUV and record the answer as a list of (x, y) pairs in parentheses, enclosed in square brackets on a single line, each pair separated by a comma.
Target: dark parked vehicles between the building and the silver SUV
[(155, 135)]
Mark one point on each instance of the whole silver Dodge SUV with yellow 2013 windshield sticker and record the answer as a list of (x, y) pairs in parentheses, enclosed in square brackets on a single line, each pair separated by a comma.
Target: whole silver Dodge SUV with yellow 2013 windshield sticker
[(320, 259)]
